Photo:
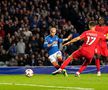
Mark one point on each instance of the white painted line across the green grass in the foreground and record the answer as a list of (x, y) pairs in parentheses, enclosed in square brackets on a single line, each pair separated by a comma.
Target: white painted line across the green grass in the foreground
[(56, 87)]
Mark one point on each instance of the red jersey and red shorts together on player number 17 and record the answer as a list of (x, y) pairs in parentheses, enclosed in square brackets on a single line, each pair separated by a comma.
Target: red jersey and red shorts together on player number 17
[(91, 39)]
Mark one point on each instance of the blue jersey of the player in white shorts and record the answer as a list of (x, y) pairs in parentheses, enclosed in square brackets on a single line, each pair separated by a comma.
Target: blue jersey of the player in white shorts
[(49, 40)]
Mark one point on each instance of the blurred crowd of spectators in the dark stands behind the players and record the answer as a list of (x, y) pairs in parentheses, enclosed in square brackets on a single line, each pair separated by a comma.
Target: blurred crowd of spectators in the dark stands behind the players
[(25, 23)]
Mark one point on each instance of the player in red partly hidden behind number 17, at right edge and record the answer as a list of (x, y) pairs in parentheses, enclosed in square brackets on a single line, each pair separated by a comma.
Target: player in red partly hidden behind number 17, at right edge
[(101, 48)]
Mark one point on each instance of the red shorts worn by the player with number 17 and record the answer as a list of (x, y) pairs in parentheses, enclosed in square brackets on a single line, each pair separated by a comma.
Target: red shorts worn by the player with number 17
[(81, 53)]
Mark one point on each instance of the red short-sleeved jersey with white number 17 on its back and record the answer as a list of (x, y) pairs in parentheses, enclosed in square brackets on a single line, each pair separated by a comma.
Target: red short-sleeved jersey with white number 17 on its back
[(91, 39)]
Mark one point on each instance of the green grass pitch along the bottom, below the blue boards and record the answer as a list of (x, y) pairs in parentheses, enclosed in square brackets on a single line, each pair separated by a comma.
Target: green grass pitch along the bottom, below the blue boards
[(57, 82)]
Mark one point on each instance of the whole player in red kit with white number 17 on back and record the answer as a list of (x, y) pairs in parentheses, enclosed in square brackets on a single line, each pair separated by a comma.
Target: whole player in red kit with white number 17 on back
[(91, 39)]
